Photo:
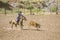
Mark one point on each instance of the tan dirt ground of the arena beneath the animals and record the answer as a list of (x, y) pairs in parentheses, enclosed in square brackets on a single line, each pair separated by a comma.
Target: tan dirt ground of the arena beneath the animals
[(49, 28)]
